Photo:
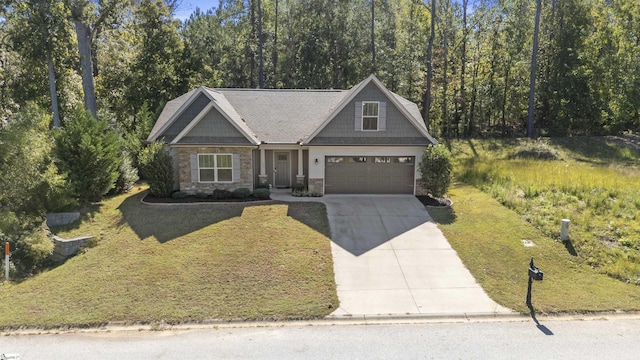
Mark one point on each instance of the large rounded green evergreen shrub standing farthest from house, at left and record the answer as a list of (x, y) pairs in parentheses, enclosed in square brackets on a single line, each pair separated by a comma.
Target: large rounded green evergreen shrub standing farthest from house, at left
[(88, 151)]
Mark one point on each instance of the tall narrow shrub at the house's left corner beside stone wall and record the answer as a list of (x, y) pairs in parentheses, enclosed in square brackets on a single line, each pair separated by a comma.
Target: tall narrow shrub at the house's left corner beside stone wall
[(157, 167)]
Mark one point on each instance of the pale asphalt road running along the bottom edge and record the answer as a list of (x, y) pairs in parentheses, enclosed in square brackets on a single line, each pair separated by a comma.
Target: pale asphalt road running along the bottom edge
[(586, 339)]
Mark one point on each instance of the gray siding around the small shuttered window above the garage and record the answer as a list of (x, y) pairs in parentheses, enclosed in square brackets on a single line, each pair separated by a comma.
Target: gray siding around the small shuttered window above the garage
[(341, 130)]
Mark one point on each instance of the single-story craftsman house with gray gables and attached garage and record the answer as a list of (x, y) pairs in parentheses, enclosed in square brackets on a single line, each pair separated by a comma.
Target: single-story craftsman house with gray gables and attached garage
[(366, 140)]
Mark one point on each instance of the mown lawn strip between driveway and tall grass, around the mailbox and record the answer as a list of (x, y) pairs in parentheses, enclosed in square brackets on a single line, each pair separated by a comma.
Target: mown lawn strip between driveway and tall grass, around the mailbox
[(488, 238)]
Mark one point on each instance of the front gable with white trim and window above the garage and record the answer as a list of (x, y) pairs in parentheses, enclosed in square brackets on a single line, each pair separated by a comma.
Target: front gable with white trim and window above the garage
[(392, 124)]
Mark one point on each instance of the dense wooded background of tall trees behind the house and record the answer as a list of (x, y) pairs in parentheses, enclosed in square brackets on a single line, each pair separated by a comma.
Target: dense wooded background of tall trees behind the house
[(587, 75)]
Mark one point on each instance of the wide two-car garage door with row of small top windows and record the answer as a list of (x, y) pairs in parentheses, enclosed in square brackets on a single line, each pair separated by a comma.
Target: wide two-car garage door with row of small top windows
[(369, 174)]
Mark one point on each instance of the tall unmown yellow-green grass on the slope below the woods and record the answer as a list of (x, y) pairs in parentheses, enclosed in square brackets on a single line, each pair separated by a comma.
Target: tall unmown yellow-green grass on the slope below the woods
[(595, 183)]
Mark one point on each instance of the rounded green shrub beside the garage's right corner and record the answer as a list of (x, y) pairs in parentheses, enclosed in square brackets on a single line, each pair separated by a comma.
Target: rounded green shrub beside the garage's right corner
[(436, 168)]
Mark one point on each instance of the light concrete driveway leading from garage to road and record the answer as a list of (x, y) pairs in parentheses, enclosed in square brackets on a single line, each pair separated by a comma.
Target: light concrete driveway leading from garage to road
[(391, 259)]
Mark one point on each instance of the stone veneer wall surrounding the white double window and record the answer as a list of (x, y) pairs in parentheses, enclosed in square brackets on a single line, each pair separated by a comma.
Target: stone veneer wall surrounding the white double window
[(246, 168)]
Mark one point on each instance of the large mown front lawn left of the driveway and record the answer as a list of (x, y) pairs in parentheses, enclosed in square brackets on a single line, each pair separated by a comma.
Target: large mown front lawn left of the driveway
[(186, 263)]
